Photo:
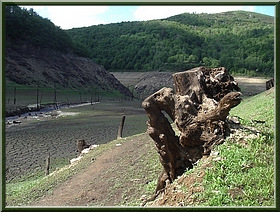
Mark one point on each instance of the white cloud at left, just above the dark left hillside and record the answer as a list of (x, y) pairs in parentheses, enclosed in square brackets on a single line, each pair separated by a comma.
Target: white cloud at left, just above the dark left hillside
[(68, 17)]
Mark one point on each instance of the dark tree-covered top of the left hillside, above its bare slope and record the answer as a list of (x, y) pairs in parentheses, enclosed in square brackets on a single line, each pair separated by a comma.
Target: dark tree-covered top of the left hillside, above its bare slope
[(26, 27)]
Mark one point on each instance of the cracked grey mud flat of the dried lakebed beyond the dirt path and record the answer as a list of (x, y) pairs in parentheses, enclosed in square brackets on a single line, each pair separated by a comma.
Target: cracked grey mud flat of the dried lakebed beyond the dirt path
[(28, 143)]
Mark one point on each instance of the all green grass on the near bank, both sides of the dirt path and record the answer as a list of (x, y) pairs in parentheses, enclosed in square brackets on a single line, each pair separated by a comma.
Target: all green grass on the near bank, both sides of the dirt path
[(247, 171)]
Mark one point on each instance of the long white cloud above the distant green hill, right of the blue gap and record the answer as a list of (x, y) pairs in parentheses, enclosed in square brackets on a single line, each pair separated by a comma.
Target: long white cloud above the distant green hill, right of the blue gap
[(144, 13)]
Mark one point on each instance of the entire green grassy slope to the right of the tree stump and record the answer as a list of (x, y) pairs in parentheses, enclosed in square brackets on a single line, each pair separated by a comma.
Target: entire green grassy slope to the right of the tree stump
[(245, 175)]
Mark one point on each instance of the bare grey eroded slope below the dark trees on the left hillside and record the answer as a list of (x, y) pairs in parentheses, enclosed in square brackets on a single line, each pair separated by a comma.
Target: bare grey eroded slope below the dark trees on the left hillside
[(27, 65)]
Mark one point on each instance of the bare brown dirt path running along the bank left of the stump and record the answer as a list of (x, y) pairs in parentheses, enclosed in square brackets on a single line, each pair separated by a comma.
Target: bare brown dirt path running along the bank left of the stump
[(97, 184)]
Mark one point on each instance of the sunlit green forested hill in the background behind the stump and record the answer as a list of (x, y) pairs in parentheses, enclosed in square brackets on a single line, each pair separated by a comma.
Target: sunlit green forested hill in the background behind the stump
[(241, 41)]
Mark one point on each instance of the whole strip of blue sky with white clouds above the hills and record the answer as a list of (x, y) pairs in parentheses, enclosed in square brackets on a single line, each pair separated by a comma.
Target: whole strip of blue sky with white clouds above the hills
[(68, 17)]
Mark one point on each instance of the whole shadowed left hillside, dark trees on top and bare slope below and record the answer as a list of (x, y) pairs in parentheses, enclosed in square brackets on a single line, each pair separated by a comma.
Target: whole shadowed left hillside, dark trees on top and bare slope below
[(37, 51)]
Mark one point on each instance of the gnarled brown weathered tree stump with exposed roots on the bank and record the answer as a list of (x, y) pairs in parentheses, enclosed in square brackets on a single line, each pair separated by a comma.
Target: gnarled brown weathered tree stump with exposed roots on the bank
[(203, 99)]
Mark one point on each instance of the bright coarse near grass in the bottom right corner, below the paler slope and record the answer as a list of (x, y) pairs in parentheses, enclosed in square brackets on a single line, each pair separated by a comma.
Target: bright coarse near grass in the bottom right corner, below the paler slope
[(244, 177)]
